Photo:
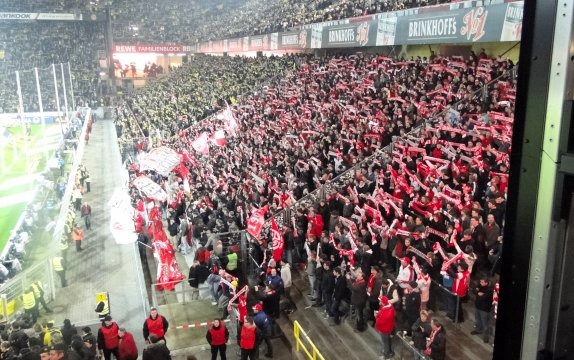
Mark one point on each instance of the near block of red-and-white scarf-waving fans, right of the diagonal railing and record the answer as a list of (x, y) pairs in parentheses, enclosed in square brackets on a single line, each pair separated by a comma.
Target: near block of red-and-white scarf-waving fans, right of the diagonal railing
[(418, 230)]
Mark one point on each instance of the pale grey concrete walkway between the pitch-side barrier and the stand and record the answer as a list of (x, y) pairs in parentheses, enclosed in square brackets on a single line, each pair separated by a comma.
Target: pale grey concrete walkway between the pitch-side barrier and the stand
[(103, 265)]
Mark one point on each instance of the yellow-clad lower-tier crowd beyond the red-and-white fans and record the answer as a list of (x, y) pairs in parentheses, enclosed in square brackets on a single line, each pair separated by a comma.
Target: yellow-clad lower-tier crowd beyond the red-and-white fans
[(192, 92)]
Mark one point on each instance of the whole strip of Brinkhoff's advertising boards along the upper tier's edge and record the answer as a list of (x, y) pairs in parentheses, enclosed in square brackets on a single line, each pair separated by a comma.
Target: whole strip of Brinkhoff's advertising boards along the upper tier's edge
[(462, 23)]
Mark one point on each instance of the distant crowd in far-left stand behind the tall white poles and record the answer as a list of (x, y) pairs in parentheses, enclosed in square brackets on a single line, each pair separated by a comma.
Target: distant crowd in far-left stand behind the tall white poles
[(37, 44)]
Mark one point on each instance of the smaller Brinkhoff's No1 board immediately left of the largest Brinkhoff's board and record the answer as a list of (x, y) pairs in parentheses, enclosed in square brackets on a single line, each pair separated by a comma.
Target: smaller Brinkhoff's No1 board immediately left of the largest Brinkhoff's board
[(350, 35)]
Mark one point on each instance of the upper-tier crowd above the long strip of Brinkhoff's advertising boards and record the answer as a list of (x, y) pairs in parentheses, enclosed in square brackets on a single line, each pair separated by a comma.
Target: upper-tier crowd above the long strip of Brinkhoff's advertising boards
[(137, 22)]
